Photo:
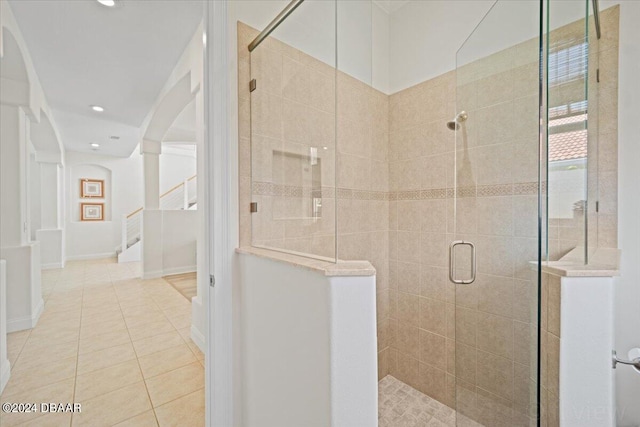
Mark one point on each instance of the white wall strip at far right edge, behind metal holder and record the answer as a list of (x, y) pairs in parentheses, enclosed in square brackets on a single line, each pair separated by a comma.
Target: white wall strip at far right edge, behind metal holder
[(627, 287)]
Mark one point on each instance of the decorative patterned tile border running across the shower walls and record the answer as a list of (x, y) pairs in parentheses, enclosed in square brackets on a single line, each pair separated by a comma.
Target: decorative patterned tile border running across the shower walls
[(495, 190)]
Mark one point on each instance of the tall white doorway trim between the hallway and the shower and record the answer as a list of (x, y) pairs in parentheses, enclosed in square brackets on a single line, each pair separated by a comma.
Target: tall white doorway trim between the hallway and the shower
[(222, 222)]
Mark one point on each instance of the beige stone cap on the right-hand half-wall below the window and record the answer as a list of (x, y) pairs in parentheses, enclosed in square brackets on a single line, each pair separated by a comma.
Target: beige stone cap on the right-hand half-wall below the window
[(603, 262)]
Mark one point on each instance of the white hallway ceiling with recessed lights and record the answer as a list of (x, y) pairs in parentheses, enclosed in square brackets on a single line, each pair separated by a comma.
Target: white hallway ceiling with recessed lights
[(119, 58)]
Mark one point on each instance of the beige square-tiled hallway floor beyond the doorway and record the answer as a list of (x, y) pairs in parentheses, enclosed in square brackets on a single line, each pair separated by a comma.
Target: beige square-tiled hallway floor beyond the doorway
[(116, 344)]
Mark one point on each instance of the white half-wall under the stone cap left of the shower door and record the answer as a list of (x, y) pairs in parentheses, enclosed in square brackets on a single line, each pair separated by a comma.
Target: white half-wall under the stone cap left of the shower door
[(311, 338)]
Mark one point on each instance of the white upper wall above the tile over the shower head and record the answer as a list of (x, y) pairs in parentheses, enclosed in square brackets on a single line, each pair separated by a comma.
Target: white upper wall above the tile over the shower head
[(429, 38)]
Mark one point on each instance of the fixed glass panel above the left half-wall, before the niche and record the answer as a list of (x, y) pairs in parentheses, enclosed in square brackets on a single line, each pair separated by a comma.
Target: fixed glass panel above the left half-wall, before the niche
[(293, 134)]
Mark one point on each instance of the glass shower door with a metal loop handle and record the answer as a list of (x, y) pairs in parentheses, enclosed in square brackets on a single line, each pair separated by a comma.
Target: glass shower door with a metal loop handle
[(495, 207)]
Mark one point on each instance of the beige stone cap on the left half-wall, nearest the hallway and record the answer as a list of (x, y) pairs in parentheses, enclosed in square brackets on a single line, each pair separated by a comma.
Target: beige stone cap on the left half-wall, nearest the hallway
[(326, 267)]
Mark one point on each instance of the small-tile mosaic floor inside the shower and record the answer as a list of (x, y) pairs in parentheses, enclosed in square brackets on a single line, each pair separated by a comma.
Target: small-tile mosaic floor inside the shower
[(400, 405)]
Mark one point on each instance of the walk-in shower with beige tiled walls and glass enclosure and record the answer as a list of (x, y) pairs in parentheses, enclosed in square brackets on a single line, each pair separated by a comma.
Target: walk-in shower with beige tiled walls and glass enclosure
[(319, 129)]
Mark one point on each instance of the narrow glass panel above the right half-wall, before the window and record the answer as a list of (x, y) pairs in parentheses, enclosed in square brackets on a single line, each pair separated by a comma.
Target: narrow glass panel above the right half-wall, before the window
[(567, 55)]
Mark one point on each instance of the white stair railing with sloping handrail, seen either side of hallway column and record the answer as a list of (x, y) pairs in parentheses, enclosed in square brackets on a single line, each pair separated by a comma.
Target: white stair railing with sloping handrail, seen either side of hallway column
[(181, 196)]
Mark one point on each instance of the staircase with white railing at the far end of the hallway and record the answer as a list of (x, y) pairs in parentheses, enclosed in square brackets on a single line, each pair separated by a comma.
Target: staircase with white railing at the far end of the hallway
[(180, 197)]
